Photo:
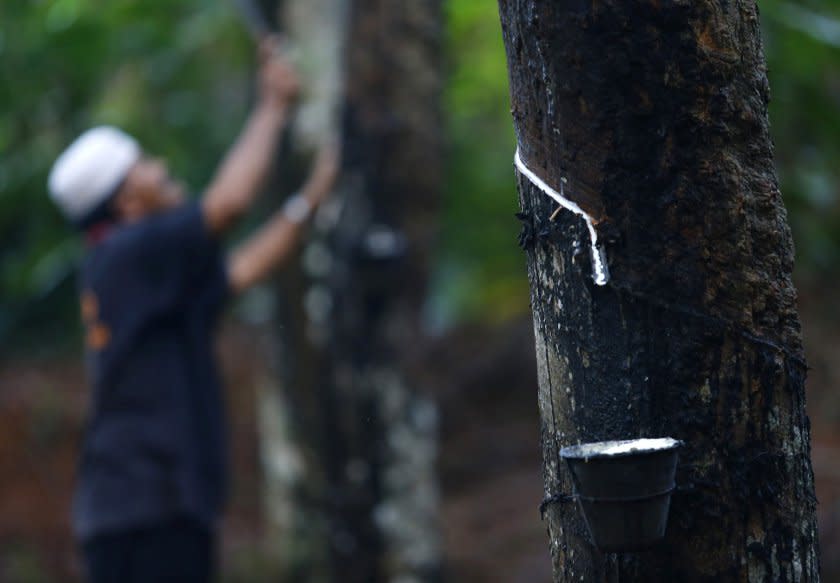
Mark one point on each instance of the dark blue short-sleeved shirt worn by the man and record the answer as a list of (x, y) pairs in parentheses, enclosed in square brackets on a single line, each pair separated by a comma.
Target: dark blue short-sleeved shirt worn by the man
[(155, 446)]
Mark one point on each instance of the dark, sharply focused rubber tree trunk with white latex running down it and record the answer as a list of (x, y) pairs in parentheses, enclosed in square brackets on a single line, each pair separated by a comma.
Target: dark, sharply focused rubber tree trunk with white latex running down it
[(652, 117)]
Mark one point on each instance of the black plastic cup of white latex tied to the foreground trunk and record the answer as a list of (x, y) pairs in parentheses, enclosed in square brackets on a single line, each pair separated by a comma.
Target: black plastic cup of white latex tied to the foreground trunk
[(624, 490)]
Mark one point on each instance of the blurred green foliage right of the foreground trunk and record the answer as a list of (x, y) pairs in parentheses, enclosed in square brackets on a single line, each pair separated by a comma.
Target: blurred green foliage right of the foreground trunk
[(802, 43)]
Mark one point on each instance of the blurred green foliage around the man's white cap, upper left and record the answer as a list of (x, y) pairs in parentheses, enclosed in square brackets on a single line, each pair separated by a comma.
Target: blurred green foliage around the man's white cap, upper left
[(175, 73)]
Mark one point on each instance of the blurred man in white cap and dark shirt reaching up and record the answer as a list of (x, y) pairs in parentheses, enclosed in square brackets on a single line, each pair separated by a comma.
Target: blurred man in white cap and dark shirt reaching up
[(151, 481)]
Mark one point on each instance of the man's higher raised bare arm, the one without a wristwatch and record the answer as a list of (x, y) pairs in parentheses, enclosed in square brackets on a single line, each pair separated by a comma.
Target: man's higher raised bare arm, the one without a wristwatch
[(239, 177)]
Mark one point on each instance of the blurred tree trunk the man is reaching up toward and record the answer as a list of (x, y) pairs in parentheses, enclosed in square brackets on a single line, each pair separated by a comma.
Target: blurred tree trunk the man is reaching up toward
[(362, 439)]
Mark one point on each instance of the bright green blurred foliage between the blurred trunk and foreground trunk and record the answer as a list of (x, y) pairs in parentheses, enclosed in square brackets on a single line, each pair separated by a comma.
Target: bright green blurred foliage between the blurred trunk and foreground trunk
[(481, 270)]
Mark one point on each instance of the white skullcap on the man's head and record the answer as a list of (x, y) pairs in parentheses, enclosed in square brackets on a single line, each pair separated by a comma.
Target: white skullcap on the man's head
[(90, 170)]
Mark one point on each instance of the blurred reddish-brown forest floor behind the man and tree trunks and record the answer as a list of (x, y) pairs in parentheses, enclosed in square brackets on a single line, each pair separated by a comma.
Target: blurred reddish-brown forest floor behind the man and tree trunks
[(491, 477)]
